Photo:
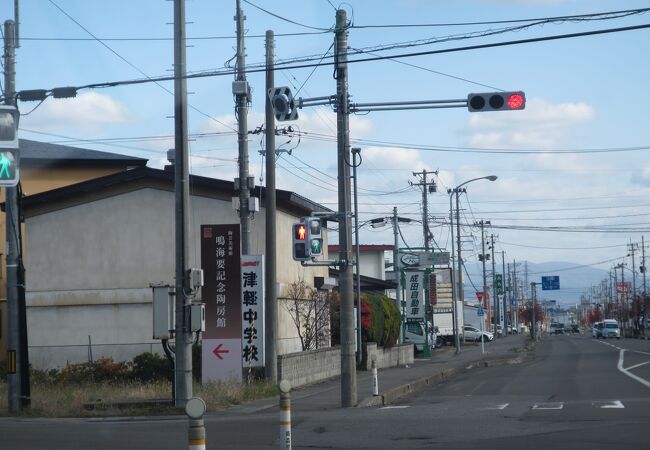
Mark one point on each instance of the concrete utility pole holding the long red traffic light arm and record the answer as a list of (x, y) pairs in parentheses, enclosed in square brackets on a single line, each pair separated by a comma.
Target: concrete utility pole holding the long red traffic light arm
[(348, 368)]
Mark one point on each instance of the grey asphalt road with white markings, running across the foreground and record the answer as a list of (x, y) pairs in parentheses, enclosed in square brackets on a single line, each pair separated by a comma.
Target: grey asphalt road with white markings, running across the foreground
[(578, 392)]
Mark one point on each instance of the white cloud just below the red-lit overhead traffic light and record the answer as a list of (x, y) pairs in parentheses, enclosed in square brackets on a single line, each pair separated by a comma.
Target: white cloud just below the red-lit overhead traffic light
[(541, 125)]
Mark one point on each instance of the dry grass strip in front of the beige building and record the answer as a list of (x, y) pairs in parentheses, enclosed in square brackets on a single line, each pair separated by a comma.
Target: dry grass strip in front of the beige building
[(70, 400)]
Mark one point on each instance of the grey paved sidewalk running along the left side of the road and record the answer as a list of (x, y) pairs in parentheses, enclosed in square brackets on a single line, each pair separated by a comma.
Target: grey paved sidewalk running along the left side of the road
[(396, 382)]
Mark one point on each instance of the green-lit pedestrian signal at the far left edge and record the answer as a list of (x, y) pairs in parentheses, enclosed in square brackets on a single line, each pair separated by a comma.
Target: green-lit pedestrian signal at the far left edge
[(9, 156)]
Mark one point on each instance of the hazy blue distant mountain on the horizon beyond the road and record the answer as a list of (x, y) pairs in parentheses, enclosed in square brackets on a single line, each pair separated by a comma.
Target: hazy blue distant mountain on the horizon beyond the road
[(575, 280)]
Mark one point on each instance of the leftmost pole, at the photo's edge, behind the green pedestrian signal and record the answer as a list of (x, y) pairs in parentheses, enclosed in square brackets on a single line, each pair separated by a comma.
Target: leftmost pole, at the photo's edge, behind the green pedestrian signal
[(14, 379)]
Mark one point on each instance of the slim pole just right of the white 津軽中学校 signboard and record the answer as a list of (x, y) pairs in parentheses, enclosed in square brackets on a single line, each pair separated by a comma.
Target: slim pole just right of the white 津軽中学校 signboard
[(271, 305)]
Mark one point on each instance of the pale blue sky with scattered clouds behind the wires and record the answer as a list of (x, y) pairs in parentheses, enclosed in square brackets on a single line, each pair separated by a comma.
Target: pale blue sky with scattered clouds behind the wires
[(573, 168)]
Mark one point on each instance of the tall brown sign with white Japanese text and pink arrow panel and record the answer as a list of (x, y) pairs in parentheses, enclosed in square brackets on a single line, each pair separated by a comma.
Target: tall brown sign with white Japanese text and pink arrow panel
[(221, 264)]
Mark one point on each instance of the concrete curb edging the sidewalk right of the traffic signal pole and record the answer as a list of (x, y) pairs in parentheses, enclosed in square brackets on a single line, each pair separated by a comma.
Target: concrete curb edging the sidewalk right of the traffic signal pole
[(391, 395)]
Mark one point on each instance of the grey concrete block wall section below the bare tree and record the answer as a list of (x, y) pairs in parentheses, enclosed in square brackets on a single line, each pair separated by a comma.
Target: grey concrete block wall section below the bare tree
[(309, 367)]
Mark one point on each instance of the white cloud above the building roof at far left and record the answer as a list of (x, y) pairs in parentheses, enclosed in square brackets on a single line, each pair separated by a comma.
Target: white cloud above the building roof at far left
[(87, 112)]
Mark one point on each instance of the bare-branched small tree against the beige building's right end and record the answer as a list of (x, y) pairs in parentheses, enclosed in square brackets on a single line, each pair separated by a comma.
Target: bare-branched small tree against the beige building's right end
[(309, 309)]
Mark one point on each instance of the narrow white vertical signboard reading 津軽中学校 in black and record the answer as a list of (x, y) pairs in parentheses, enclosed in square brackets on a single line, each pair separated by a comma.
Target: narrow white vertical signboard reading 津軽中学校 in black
[(252, 320)]
